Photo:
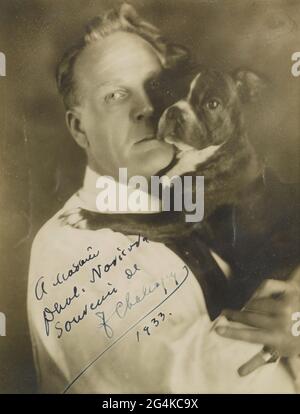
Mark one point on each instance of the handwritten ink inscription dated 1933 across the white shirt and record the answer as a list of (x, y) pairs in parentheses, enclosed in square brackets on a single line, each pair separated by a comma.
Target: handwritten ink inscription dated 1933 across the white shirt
[(111, 295)]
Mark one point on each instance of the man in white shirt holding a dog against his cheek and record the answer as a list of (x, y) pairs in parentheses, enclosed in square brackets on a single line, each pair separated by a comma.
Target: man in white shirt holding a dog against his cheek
[(111, 313)]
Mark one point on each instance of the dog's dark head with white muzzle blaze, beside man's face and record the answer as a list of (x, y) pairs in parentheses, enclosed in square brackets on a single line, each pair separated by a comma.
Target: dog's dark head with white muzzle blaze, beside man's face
[(211, 113)]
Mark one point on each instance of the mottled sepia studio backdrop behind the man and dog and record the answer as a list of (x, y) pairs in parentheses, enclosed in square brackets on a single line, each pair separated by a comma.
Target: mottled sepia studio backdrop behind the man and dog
[(41, 166)]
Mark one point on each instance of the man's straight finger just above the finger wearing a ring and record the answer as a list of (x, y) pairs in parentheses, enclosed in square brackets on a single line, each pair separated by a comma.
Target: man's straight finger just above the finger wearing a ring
[(255, 336)]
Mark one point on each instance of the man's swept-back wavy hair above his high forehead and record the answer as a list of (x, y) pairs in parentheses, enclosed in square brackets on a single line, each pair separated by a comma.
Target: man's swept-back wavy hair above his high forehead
[(125, 19)]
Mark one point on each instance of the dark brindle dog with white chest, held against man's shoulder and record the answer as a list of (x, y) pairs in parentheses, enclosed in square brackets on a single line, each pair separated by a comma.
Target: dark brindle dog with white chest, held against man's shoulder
[(252, 218)]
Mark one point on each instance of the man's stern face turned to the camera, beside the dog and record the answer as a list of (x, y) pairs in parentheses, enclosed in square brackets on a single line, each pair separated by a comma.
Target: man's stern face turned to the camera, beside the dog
[(116, 113)]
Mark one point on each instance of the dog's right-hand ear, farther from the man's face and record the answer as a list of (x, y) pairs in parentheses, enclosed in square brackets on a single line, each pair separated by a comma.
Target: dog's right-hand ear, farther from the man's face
[(249, 85)]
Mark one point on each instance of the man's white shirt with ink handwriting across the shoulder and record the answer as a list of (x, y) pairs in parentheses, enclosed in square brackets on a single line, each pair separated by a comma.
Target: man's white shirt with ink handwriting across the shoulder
[(144, 325)]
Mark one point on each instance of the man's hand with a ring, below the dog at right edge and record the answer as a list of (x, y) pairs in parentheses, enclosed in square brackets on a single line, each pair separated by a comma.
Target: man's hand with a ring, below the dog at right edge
[(268, 320)]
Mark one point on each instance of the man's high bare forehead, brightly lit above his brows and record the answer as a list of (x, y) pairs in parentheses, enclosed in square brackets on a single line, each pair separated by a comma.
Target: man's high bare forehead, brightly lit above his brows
[(118, 56)]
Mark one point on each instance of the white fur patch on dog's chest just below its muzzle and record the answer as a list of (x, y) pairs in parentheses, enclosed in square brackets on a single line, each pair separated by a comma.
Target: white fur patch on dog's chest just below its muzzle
[(190, 159)]
